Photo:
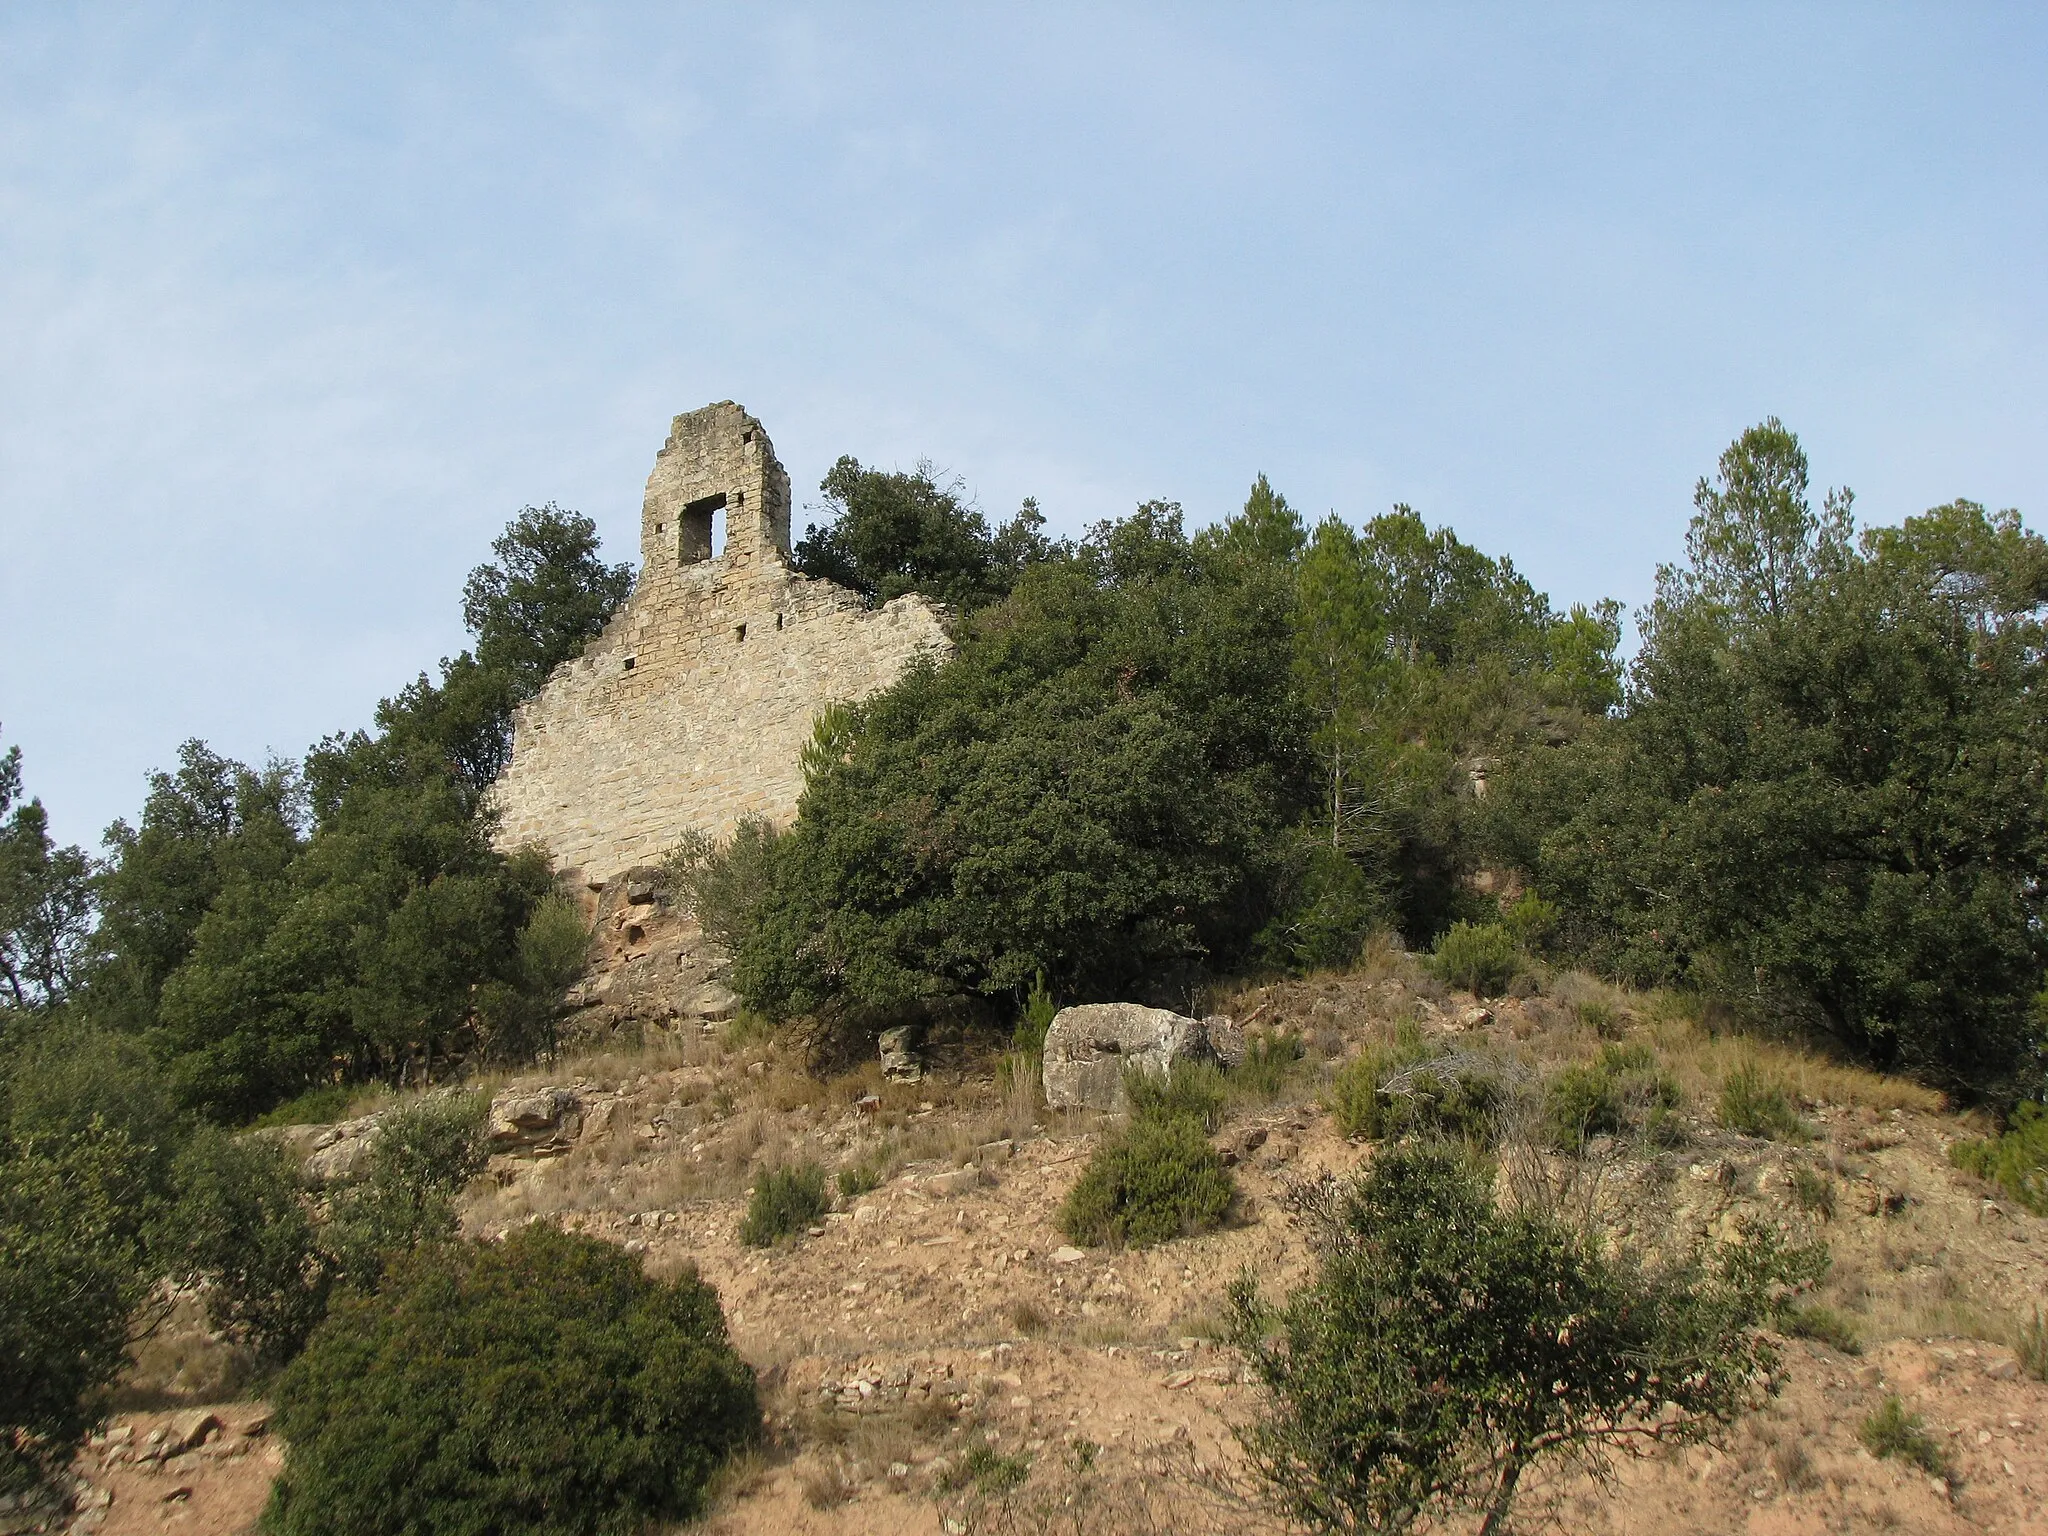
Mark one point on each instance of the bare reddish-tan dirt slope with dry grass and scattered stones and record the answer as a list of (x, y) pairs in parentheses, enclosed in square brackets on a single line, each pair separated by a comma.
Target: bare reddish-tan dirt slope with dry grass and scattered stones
[(937, 1359)]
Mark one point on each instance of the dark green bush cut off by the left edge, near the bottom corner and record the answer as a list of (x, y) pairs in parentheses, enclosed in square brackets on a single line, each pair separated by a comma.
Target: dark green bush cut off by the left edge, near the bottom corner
[(71, 1277)]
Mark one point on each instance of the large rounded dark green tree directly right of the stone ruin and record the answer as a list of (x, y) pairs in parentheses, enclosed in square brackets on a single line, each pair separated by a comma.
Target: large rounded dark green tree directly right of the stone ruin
[(1091, 792)]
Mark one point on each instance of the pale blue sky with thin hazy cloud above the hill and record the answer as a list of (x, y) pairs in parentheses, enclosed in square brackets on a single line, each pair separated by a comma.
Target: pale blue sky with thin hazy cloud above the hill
[(302, 304)]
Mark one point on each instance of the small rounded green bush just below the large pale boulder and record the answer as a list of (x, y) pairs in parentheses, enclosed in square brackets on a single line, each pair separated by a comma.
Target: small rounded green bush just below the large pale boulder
[(1150, 1185)]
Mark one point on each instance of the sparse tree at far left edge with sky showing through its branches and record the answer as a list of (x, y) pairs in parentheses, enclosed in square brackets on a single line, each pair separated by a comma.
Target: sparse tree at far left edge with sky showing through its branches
[(46, 902)]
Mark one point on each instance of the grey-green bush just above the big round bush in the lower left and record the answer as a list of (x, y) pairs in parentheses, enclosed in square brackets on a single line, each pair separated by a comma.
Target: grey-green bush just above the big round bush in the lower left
[(421, 1160)]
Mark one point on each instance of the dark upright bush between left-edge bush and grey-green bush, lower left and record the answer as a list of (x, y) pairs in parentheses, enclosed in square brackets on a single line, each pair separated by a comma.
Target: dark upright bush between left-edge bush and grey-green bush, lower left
[(245, 1230)]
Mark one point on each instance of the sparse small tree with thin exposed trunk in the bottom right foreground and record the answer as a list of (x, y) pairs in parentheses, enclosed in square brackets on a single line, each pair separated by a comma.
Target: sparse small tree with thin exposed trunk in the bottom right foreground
[(1447, 1349)]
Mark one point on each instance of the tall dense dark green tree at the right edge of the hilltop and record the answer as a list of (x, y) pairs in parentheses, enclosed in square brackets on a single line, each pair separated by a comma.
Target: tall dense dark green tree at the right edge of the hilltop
[(1826, 796)]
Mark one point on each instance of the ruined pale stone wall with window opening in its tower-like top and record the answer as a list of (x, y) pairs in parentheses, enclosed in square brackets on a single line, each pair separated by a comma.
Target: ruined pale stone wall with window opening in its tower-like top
[(691, 710)]
